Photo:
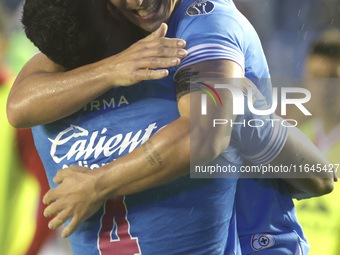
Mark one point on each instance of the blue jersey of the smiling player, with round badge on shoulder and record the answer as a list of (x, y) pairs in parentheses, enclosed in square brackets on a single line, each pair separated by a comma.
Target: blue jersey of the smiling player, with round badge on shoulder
[(217, 30)]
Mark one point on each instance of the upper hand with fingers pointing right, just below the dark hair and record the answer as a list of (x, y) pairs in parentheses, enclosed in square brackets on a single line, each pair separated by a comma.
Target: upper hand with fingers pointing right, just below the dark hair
[(139, 61)]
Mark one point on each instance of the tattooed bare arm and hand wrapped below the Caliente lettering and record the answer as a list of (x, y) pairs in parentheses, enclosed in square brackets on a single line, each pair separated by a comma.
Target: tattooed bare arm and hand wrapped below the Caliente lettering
[(166, 156)]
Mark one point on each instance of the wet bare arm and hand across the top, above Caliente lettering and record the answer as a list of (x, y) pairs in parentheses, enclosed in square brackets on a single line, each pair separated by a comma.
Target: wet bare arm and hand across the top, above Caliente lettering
[(44, 92)]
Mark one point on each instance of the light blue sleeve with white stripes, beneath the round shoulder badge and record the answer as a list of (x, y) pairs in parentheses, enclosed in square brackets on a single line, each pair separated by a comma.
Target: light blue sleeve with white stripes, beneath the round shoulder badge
[(215, 35)]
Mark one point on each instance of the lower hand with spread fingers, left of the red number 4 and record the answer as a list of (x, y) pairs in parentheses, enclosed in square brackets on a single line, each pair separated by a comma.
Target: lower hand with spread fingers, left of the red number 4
[(75, 197)]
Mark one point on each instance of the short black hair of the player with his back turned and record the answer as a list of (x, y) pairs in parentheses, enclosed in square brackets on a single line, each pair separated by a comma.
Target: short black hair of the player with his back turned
[(73, 33)]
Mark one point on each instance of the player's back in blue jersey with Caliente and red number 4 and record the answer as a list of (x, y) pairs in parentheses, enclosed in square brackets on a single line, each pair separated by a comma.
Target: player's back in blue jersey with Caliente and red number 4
[(184, 216)]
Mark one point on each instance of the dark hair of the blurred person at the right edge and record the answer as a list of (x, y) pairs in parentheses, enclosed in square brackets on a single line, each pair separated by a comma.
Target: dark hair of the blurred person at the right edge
[(328, 44)]
